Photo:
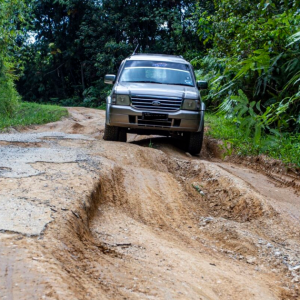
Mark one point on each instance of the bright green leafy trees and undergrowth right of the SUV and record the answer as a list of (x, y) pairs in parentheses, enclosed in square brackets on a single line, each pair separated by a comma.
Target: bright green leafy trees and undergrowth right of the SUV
[(253, 66)]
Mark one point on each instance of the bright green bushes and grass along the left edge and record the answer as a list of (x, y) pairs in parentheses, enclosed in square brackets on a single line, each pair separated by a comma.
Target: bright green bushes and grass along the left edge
[(14, 112)]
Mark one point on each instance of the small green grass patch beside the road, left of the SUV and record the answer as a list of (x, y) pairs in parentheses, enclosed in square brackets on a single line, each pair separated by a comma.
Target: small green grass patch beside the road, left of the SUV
[(33, 113)]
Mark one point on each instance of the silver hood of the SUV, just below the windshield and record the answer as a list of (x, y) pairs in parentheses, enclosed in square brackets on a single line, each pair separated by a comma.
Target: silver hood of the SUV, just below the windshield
[(134, 88)]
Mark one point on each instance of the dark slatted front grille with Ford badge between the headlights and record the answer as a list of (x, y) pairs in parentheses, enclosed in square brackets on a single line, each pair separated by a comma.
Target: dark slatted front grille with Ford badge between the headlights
[(156, 103)]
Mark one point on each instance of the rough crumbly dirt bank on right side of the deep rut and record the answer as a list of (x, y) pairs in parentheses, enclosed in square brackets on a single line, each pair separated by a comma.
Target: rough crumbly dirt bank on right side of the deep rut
[(221, 195)]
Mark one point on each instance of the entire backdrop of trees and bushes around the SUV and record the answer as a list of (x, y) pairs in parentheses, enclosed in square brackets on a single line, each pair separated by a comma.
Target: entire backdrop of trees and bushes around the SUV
[(59, 51)]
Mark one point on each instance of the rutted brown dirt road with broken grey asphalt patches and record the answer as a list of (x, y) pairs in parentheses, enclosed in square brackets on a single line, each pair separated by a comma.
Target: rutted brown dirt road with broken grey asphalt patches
[(82, 218)]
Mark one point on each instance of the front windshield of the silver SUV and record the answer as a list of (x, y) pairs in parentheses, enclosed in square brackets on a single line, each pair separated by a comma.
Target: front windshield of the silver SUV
[(157, 72)]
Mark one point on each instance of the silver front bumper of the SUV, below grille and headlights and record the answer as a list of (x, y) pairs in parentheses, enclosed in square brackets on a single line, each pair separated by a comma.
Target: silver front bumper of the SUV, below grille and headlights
[(129, 117)]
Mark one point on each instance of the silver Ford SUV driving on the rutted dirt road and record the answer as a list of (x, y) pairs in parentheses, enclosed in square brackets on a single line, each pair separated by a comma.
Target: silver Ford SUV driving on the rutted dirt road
[(155, 94)]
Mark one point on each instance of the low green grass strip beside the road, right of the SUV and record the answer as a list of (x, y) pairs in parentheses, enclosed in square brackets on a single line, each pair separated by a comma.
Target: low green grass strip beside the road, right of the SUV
[(285, 147)]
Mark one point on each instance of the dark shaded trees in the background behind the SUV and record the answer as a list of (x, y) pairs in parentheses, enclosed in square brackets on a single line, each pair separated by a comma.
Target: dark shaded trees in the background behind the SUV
[(77, 42)]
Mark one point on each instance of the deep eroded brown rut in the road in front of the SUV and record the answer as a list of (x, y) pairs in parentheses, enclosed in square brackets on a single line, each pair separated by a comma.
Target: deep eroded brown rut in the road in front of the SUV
[(161, 227)]
